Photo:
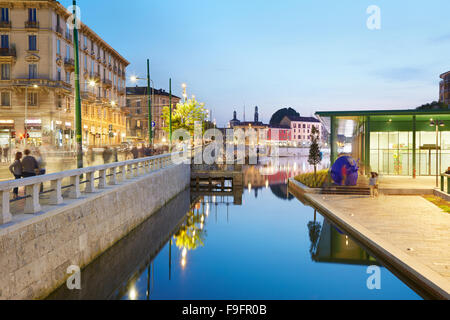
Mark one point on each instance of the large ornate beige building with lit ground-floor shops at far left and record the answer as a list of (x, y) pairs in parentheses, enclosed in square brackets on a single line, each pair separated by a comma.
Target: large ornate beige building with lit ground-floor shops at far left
[(37, 79)]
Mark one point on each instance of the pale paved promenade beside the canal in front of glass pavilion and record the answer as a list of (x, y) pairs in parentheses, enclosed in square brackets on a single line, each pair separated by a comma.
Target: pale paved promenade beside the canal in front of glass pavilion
[(409, 228)]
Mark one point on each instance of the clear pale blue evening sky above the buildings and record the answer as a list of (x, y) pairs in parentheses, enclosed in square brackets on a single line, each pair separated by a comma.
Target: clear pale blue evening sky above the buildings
[(307, 54)]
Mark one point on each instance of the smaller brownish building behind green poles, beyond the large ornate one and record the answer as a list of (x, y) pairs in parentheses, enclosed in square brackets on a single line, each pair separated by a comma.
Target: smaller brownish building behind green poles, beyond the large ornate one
[(137, 113)]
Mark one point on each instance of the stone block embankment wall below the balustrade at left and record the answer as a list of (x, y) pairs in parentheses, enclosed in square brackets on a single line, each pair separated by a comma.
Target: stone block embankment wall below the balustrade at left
[(36, 253)]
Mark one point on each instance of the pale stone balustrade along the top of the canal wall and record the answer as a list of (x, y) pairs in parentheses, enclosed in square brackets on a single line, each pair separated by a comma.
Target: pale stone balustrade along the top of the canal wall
[(104, 175)]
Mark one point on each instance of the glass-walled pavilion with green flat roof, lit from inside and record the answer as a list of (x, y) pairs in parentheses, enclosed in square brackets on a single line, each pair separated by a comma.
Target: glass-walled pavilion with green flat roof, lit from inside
[(392, 142)]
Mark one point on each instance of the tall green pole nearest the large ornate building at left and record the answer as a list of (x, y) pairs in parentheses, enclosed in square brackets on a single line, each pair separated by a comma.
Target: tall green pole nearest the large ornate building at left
[(78, 121)]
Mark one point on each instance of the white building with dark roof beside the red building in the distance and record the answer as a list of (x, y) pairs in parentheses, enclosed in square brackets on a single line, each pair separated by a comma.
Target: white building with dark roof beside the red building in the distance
[(301, 129)]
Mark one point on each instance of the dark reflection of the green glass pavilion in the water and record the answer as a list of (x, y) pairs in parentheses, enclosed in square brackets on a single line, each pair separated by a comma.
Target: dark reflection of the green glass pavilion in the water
[(335, 247)]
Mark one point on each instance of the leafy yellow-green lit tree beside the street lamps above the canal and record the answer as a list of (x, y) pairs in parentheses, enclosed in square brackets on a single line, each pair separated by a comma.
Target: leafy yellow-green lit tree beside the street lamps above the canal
[(184, 115)]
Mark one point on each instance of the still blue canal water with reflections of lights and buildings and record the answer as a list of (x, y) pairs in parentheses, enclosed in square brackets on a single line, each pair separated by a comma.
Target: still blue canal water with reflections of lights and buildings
[(259, 243)]
